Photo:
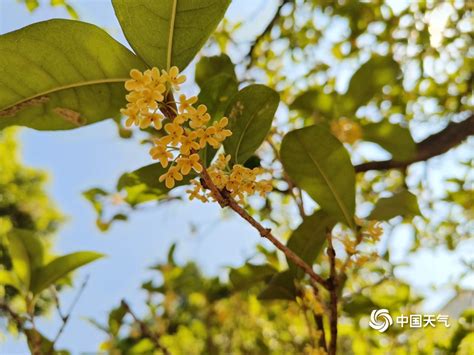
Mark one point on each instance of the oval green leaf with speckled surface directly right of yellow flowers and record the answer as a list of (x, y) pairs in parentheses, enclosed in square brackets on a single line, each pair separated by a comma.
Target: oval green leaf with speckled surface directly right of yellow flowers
[(250, 114)]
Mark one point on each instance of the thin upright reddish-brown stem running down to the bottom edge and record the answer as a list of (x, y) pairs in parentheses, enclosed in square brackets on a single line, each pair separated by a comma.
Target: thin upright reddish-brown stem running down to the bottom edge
[(333, 285)]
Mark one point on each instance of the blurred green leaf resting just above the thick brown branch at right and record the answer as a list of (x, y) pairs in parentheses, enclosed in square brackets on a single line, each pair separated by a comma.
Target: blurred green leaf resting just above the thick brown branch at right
[(395, 139)]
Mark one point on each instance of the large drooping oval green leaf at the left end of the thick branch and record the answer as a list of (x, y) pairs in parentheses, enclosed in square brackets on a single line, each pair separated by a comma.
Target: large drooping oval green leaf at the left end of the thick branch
[(317, 162)]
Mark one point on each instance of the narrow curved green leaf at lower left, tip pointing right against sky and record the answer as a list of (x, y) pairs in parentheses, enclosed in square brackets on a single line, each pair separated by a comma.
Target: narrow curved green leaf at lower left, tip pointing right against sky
[(59, 268)]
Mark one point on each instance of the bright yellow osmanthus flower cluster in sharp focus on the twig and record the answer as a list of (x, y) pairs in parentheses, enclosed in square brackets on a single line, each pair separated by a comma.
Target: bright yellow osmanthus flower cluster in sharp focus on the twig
[(185, 132)]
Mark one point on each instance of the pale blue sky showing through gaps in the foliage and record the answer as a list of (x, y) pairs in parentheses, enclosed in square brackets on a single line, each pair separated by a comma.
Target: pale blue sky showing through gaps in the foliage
[(94, 156)]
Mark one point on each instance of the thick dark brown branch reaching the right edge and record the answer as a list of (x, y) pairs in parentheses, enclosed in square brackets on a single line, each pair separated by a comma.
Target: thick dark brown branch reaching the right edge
[(439, 143)]
